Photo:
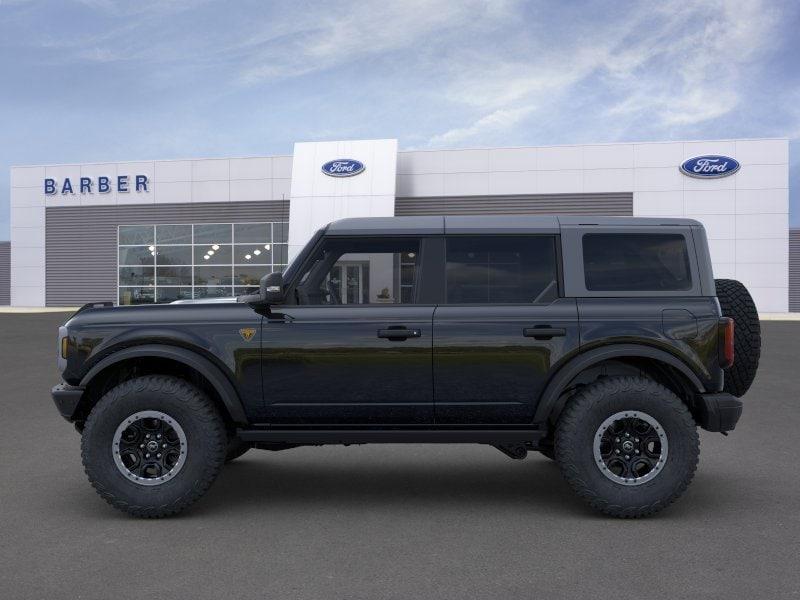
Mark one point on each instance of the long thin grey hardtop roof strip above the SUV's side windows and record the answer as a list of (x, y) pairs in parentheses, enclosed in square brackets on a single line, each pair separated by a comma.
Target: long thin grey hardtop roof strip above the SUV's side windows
[(430, 225)]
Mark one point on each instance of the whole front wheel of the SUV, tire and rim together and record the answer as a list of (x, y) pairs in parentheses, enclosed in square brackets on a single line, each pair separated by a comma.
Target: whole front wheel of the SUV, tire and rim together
[(153, 445)]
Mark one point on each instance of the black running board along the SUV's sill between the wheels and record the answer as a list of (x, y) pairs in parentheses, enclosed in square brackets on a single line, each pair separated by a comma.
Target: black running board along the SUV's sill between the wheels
[(391, 436)]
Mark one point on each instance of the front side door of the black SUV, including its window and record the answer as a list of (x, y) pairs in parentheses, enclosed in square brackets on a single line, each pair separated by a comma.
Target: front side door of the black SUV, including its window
[(352, 345)]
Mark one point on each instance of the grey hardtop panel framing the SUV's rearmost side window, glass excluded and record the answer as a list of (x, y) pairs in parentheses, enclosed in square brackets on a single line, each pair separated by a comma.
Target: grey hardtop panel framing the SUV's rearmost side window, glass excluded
[(574, 269)]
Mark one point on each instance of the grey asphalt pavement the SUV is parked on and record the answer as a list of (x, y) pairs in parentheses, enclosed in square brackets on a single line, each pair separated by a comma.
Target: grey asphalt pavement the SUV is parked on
[(395, 521)]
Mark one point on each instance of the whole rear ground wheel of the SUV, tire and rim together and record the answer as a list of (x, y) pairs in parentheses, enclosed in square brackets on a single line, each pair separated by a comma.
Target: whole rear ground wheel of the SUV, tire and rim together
[(627, 445)]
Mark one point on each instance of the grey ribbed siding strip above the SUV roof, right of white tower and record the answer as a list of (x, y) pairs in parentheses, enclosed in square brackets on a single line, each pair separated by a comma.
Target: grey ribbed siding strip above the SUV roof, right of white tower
[(542, 204)]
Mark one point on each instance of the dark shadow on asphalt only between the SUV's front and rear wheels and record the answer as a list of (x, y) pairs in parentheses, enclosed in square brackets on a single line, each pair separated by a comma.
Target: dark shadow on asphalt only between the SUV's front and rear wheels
[(268, 481)]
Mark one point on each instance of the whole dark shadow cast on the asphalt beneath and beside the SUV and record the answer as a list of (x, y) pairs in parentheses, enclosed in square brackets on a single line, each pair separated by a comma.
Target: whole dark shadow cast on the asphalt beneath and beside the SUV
[(265, 481)]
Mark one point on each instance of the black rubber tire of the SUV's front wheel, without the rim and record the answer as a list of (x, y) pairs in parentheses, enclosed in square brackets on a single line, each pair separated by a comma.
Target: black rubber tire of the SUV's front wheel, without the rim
[(205, 445)]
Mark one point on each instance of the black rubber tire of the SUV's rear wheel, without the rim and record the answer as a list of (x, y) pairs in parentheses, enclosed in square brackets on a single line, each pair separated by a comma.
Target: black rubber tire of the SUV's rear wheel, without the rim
[(579, 423)]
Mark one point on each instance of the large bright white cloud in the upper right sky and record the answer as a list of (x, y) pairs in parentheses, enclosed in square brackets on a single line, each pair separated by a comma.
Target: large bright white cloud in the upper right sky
[(673, 64)]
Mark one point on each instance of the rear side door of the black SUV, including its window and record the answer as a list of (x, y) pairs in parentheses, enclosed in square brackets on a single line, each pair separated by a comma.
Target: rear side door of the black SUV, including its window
[(502, 327)]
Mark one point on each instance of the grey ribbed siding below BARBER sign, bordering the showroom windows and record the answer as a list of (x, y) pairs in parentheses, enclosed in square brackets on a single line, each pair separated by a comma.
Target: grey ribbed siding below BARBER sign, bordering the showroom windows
[(81, 241)]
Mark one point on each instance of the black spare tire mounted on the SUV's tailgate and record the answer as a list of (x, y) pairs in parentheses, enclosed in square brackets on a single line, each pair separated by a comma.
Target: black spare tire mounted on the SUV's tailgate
[(736, 303)]
